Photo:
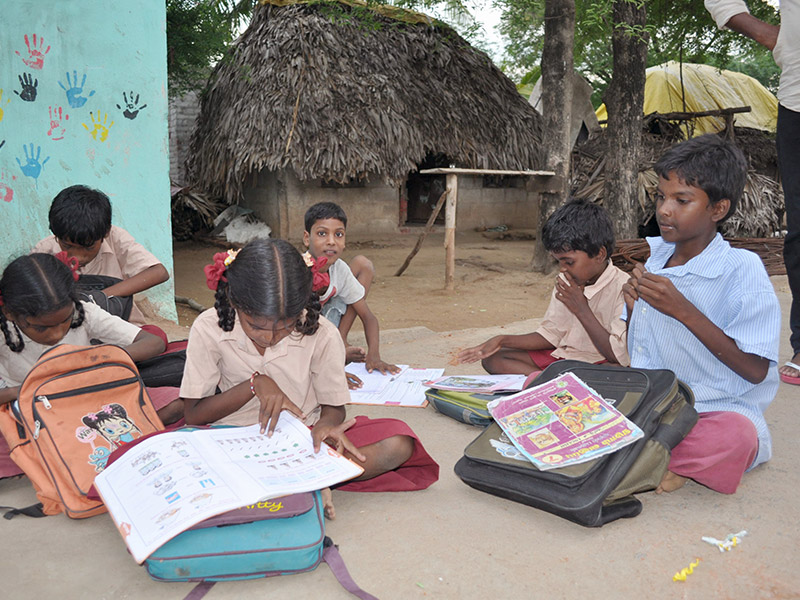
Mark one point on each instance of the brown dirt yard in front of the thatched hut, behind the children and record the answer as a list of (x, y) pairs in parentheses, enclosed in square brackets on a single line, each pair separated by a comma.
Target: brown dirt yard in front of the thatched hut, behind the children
[(494, 284)]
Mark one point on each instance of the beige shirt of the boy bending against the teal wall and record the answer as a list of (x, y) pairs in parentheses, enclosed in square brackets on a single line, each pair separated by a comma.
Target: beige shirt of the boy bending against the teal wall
[(120, 256)]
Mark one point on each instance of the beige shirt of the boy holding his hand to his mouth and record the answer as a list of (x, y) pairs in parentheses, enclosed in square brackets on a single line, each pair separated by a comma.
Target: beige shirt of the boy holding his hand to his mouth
[(564, 331)]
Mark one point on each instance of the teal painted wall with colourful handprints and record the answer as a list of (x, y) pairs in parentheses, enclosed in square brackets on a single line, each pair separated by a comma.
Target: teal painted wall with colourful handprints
[(83, 100)]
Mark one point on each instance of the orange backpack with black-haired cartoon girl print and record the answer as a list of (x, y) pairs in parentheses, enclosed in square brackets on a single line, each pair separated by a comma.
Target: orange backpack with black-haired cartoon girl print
[(77, 405)]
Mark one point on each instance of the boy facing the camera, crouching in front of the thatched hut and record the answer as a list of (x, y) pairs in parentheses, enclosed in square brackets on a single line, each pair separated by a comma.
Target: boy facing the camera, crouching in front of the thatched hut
[(343, 291)]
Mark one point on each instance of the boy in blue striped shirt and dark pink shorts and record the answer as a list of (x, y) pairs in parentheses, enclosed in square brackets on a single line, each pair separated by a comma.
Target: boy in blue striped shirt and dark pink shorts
[(709, 313)]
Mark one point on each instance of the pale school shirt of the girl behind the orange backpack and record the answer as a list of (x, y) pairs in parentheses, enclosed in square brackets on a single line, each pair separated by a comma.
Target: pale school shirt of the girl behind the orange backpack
[(97, 325)]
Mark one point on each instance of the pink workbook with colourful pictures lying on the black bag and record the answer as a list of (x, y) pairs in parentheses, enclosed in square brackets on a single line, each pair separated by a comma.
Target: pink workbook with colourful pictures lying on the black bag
[(562, 422)]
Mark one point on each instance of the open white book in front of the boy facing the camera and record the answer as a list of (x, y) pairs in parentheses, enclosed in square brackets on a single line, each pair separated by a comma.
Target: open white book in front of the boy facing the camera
[(402, 389)]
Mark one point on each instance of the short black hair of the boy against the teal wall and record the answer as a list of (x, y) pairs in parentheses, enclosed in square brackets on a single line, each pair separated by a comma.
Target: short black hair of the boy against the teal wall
[(80, 215)]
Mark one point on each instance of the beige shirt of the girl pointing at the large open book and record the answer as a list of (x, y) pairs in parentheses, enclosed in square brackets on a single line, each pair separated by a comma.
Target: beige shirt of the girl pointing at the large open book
[(309, 369)]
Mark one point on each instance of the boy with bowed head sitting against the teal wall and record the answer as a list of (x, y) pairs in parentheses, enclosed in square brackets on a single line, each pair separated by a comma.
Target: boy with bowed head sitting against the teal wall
[(80, 219)]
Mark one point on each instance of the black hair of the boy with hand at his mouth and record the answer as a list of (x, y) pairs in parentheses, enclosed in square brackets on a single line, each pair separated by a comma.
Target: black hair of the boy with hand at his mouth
[(579, 225)]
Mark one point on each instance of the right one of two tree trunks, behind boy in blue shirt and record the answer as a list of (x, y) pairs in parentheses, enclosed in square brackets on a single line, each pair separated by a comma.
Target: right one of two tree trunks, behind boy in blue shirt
[(624, 102)]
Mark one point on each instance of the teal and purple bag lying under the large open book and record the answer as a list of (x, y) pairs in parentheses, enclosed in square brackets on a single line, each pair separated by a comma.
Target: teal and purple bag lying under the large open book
[(276, 537)]
